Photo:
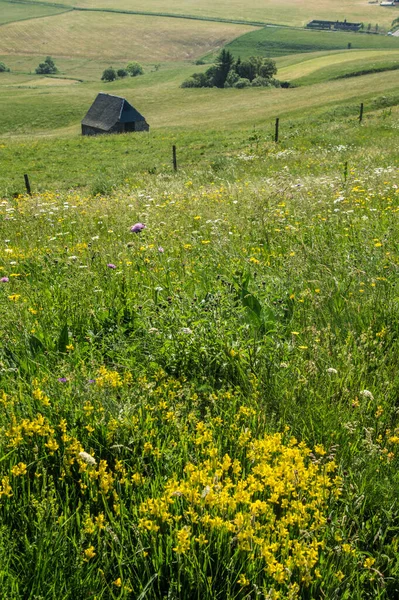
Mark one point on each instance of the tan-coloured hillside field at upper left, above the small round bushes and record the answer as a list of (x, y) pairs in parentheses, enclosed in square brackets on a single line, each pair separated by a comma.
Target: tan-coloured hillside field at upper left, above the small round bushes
[(147, 39)]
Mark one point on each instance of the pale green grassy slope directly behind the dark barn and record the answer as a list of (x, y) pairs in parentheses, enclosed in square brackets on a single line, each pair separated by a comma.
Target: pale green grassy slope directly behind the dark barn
[(158, 96)]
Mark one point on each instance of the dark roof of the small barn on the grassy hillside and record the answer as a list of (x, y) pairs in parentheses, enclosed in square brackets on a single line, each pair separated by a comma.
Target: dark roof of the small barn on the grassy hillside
[(107, 110)]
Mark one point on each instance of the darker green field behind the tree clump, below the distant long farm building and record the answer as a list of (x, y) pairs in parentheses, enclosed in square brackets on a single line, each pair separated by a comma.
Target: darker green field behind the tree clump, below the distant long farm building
[(274, 42)]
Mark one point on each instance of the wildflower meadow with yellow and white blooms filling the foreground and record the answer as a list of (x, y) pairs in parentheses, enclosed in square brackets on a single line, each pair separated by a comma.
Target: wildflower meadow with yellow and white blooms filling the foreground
[(198, 375)]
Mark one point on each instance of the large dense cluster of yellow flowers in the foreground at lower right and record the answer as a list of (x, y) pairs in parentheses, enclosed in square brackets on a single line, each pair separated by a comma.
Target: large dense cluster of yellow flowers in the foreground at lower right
[(272, 505)]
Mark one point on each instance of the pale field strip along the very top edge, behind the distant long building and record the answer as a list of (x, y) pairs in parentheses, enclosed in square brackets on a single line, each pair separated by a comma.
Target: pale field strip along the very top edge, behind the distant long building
[(288, 12)]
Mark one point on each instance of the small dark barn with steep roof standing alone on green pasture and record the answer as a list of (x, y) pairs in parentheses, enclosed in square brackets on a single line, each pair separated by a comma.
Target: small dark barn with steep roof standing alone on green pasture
[(112, 114)]
